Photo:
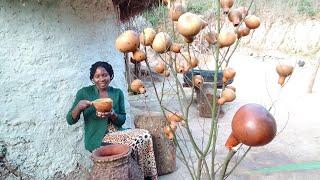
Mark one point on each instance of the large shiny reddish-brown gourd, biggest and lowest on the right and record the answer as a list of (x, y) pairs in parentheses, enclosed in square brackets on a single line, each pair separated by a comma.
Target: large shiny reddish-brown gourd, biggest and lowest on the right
[(252, 125)]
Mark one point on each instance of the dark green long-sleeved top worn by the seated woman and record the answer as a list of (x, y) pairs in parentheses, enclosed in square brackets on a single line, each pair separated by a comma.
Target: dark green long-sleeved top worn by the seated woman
[(94, 127)]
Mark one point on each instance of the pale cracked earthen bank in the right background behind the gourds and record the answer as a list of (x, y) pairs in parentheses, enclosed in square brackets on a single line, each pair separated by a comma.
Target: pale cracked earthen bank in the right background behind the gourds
[(299, 36)]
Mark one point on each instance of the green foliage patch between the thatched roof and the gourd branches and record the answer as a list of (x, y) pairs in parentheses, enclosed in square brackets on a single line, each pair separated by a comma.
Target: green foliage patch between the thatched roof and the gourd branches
[(156, 15)]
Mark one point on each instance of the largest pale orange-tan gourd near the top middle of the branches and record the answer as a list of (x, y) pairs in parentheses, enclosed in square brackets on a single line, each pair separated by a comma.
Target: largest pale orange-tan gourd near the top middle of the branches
[(189, 24)]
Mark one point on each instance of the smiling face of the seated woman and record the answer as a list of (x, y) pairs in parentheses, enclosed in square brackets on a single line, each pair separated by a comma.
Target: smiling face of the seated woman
[(101, 78)]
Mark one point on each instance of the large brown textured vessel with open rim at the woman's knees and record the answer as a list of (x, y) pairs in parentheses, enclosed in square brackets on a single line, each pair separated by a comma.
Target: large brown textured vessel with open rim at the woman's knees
[(114, 162)]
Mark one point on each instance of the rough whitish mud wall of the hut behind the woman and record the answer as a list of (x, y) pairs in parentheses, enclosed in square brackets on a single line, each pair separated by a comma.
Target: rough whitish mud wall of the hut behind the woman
[(46, 51)]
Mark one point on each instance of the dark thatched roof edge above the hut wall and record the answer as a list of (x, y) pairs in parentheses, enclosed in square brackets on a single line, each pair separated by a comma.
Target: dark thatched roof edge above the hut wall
[(129, 8)]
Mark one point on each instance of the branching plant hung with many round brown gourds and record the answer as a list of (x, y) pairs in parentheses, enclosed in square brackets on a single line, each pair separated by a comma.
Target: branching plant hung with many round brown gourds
[(231, 24)]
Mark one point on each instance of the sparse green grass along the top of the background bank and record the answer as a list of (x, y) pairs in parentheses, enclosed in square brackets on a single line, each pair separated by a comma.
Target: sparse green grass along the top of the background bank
[(158, 16)]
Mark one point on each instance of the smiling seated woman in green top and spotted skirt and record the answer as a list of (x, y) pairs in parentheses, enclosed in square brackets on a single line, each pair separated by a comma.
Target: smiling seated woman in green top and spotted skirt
[(104, 128)]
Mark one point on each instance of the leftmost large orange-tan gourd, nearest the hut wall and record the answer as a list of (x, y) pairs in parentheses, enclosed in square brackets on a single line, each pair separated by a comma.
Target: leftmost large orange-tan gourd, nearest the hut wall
[(128, 41)]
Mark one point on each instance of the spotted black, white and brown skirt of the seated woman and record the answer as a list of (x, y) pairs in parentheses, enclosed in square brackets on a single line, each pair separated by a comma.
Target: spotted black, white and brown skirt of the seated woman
[(140, 141)]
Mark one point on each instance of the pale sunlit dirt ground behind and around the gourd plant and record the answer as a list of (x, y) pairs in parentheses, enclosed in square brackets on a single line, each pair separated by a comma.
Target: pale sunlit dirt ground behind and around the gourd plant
[(295, 151)]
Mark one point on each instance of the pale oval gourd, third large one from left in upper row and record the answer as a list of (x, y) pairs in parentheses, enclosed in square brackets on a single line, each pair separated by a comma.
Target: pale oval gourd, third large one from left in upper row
[(161, 43)]
